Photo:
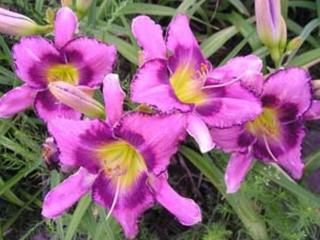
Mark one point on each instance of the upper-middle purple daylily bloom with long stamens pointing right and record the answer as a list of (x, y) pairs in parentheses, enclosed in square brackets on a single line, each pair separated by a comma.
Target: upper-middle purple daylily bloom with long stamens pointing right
[(174, 75)]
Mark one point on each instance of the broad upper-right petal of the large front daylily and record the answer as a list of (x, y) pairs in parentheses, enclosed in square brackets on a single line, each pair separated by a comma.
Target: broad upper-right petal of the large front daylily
[(156, 137)]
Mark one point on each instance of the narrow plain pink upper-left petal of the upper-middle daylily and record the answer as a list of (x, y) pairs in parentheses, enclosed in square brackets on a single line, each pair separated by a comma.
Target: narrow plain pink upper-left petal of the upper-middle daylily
[(149, 37)]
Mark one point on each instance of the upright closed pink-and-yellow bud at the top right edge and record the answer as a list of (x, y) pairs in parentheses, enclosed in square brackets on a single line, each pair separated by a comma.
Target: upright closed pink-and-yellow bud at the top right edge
[(271, 26)]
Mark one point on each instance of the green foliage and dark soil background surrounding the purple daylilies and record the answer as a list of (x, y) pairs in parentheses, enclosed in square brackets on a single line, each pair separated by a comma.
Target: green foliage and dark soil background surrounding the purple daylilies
[(268, 199)]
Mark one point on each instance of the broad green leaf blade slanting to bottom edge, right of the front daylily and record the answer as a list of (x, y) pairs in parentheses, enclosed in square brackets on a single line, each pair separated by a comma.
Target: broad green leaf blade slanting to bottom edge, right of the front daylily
[(243, 206)]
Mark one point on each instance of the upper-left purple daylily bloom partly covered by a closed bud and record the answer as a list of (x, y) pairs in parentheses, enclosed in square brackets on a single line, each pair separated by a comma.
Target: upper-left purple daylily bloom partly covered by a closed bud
[(80, 61)]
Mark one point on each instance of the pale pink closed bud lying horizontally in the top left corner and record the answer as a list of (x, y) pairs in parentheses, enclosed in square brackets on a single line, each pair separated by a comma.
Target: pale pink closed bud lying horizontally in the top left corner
[(19, 25)]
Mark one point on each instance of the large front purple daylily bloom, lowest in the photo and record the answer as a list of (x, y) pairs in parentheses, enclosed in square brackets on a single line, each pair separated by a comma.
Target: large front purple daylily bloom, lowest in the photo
[(123, 162)]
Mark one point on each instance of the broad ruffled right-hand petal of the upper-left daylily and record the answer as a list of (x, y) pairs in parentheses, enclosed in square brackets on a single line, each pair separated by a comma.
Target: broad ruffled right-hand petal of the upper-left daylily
[(93, 59)]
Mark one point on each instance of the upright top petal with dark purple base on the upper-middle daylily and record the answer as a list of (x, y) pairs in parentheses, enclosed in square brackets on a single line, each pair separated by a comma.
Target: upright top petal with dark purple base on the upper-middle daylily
[(183, 45)]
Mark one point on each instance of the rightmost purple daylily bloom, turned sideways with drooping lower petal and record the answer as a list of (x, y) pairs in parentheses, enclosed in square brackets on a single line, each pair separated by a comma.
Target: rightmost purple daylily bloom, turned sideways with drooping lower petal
[(276, 134)]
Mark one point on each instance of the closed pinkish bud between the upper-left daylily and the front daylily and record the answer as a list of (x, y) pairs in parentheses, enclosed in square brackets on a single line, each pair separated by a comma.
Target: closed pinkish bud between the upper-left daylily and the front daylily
[(76, 98)]
